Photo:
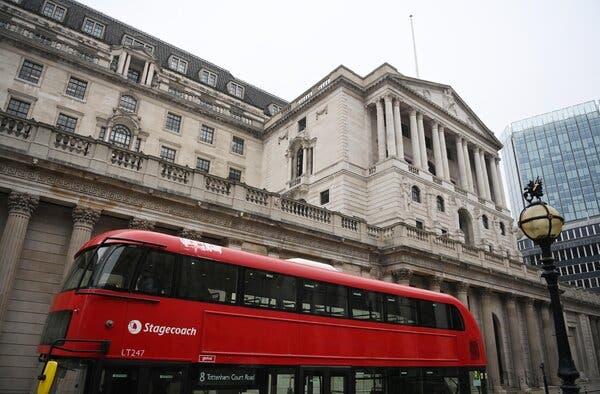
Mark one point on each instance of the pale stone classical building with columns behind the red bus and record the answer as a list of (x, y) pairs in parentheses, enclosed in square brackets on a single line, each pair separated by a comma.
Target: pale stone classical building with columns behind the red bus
[(386, 176)]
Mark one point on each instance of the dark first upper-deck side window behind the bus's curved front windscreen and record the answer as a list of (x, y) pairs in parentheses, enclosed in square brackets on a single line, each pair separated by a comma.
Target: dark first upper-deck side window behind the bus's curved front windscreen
[(156, 274)]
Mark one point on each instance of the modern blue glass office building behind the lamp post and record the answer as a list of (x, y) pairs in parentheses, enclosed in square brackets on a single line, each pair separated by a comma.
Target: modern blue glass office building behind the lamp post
[(562, 148)]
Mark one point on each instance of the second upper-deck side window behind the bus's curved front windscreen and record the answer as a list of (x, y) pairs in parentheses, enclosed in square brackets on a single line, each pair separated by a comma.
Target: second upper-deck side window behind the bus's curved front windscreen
[(206, 280)]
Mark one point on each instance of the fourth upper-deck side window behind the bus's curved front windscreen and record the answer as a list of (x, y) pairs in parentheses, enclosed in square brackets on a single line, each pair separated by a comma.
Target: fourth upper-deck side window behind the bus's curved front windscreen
[(322, 298)]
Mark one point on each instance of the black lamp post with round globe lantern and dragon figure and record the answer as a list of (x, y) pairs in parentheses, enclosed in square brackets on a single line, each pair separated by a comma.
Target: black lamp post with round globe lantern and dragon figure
[(542, 224)]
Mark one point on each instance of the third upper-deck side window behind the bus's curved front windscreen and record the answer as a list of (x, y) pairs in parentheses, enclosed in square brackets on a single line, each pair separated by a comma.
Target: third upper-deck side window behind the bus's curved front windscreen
[(269, 290)]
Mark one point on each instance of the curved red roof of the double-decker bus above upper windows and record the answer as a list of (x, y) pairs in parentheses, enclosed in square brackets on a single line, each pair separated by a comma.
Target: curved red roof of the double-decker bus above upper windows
[(189, 247)]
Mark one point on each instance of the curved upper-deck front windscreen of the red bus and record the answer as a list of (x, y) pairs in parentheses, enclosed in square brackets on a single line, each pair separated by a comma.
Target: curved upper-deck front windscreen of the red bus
[(109, 267)]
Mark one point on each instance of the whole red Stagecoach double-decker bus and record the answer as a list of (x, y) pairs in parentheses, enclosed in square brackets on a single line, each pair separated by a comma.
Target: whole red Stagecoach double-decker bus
[(143, 312)]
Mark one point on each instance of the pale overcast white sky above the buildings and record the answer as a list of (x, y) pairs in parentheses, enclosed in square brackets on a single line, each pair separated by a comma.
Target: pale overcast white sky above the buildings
[(507, 59)]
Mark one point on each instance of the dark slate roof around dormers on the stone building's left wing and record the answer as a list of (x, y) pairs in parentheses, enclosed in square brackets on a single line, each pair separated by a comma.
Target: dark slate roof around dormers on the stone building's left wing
[(115, 30)]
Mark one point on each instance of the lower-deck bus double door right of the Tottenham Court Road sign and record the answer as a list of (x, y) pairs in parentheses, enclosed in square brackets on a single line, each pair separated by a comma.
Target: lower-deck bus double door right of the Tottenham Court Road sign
[(321, 380)]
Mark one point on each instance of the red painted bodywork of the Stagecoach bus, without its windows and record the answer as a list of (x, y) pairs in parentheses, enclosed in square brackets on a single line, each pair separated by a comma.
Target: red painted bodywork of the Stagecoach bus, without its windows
[(231, 334)]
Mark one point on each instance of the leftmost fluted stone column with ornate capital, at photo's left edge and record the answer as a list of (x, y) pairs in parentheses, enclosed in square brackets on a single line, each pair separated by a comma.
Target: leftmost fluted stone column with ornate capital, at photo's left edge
[(20, 209)]
